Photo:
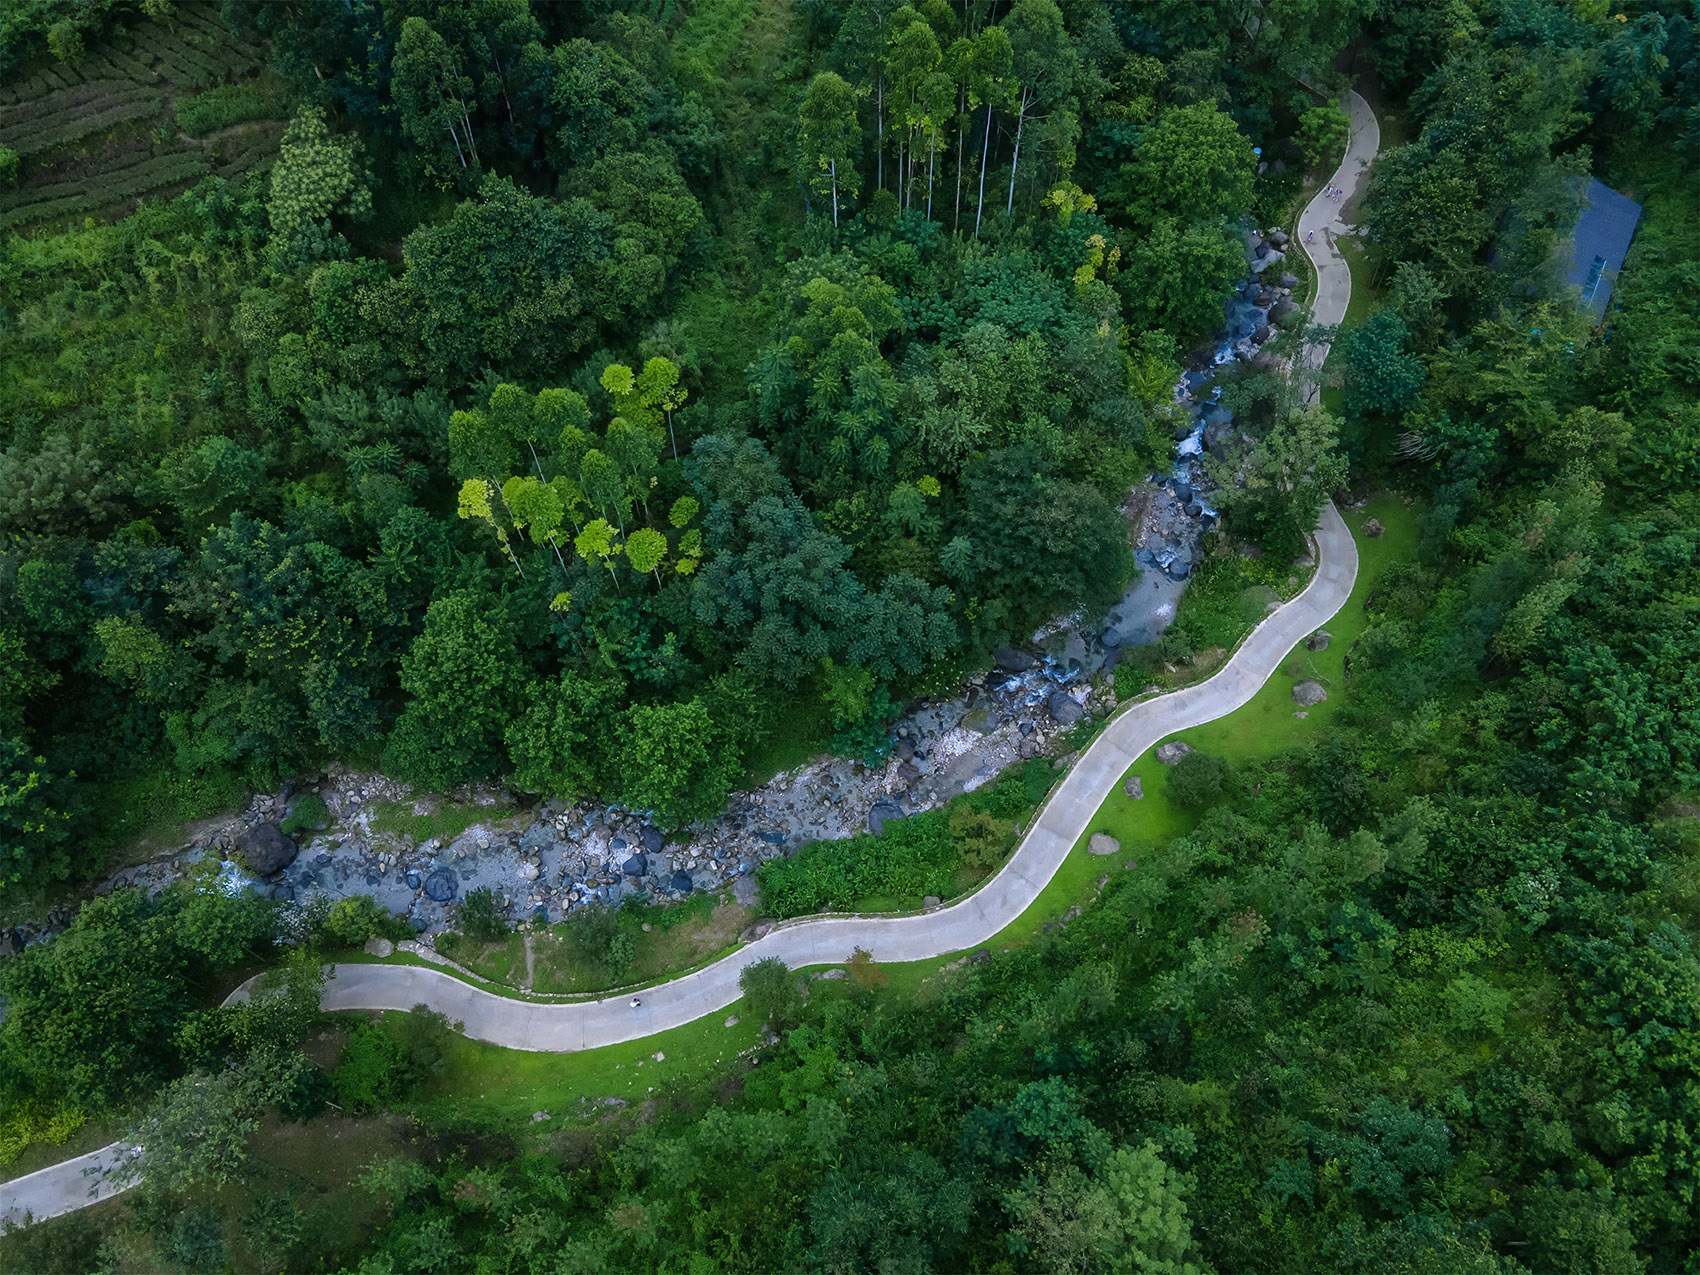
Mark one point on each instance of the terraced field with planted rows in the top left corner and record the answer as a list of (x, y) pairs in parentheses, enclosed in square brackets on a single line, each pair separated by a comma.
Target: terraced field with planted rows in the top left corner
[(99, 133)]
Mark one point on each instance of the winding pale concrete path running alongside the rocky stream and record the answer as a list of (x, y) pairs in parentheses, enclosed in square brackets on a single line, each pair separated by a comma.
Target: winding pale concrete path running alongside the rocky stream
[(1063, 820)]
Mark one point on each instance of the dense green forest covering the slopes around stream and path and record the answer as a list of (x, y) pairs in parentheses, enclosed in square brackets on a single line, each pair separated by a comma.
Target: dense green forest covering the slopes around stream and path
[(579, 388)]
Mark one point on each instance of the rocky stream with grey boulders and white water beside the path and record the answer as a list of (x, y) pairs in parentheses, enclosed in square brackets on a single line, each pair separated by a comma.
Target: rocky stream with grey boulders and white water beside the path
[(552, 859)]
